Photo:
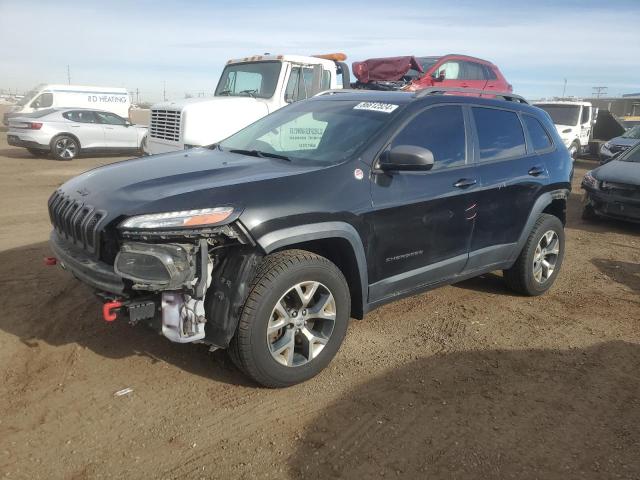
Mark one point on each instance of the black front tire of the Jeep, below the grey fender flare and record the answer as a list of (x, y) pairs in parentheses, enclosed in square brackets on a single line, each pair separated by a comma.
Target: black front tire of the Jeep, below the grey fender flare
[(278, 273)]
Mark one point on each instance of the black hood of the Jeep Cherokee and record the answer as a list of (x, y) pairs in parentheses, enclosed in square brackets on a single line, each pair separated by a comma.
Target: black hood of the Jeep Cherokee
[(198, 178)]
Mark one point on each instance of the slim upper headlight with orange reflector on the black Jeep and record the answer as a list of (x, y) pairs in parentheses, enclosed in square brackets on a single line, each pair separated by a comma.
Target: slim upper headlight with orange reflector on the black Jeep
[(185, 218)]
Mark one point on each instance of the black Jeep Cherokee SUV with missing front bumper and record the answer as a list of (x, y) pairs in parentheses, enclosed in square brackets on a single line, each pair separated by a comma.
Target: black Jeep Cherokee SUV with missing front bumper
[(268, 242)]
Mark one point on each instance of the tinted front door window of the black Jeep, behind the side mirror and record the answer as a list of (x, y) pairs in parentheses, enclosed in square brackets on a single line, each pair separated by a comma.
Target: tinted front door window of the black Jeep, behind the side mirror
[(441, 130)]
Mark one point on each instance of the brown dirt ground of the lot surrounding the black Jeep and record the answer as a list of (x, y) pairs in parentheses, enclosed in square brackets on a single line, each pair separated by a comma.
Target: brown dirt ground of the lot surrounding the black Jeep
[(467, 381)]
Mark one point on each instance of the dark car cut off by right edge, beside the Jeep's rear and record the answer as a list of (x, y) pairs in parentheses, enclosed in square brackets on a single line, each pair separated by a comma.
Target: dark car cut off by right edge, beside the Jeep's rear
[(613, 190)]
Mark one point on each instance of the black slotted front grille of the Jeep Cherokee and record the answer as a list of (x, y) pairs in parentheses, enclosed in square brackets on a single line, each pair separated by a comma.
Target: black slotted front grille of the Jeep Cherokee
[(76, 222)]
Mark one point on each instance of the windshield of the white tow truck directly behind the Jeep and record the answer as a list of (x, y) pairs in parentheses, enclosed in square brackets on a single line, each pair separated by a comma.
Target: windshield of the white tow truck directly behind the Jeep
[(256, 79)]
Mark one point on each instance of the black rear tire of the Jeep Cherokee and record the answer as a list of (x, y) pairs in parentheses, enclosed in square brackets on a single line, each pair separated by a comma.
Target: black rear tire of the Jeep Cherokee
[(520, 277)]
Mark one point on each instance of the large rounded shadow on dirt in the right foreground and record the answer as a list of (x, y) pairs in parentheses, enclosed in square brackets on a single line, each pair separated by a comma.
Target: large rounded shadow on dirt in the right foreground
[(486, 414)]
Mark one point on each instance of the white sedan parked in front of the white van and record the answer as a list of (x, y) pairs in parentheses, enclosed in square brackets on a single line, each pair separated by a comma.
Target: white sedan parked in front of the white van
[(66, 132)]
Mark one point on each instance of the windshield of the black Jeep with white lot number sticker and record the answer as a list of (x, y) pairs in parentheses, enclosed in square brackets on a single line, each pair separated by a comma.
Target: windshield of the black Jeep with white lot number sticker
[(324, 132)]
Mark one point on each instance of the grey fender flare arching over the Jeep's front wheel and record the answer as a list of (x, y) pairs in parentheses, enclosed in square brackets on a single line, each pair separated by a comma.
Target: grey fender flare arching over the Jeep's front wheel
[(317, 231)]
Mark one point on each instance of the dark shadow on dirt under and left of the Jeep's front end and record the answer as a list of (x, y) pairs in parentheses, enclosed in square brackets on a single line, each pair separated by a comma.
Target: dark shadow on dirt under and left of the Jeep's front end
[(46, 304)]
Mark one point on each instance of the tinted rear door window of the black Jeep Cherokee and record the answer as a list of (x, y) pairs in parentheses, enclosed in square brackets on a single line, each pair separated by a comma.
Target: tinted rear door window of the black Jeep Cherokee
[(500, 134)]
